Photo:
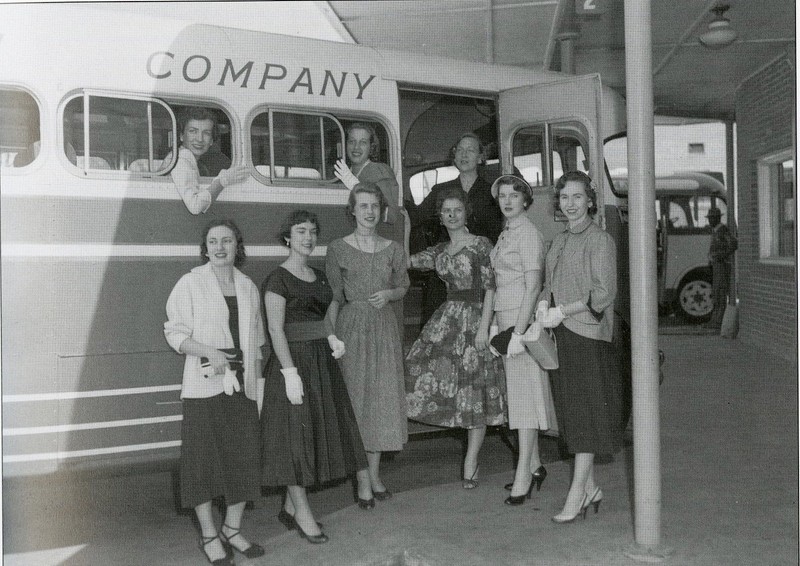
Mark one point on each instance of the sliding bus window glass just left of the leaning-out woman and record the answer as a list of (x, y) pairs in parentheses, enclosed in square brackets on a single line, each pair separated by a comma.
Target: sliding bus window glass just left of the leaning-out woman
[(122, 134)]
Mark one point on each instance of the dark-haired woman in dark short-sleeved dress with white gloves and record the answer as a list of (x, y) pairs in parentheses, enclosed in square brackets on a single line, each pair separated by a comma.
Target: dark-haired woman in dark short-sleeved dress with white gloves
[(309, 432)]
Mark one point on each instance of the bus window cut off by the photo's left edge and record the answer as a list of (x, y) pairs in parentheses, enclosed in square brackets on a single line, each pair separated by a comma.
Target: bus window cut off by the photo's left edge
[(19, 128)]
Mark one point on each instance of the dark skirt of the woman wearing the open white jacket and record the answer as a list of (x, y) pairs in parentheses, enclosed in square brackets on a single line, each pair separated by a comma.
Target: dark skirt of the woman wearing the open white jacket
[(219, 450)]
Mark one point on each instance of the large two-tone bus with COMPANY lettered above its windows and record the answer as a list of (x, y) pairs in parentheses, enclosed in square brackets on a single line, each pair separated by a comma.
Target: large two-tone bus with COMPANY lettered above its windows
[(94, 234)]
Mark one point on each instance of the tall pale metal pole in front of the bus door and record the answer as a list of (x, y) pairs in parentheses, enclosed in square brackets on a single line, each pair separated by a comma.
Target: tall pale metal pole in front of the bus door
[(644, 314)]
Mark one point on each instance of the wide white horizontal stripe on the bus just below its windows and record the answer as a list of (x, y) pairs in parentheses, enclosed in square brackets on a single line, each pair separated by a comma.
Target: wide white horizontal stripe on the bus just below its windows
[(10, 251)]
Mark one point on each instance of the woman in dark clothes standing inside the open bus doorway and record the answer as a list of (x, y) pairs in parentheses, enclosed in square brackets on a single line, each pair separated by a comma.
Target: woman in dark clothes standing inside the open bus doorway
[(484, 218)]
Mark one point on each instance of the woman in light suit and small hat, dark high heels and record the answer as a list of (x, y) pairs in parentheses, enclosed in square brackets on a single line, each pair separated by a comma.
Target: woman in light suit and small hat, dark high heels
[(518, 260)]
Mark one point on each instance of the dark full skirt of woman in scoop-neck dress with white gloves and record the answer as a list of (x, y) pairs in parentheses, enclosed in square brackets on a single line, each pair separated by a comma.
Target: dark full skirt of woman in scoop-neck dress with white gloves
[(317, 441)]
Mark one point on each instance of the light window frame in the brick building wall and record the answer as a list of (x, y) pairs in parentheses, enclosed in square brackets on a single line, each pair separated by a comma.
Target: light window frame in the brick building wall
[(768, 239)]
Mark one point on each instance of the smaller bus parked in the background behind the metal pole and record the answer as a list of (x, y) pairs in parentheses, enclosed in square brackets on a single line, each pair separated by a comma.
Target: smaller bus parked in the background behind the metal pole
[(683, 200)]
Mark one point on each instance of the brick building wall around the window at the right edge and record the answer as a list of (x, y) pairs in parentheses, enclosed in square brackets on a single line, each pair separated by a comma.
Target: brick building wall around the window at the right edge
[(767, 292)]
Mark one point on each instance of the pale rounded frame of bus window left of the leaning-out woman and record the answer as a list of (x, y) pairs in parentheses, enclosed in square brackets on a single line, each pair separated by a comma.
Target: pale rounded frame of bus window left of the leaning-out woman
[(88, 172)]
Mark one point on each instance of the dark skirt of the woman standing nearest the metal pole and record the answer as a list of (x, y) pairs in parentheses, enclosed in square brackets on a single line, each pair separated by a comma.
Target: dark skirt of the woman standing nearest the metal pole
[(587, 393)]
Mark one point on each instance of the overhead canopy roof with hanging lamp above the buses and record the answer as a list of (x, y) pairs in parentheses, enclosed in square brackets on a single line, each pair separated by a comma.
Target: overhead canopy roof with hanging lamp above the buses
[(690, 79)]
